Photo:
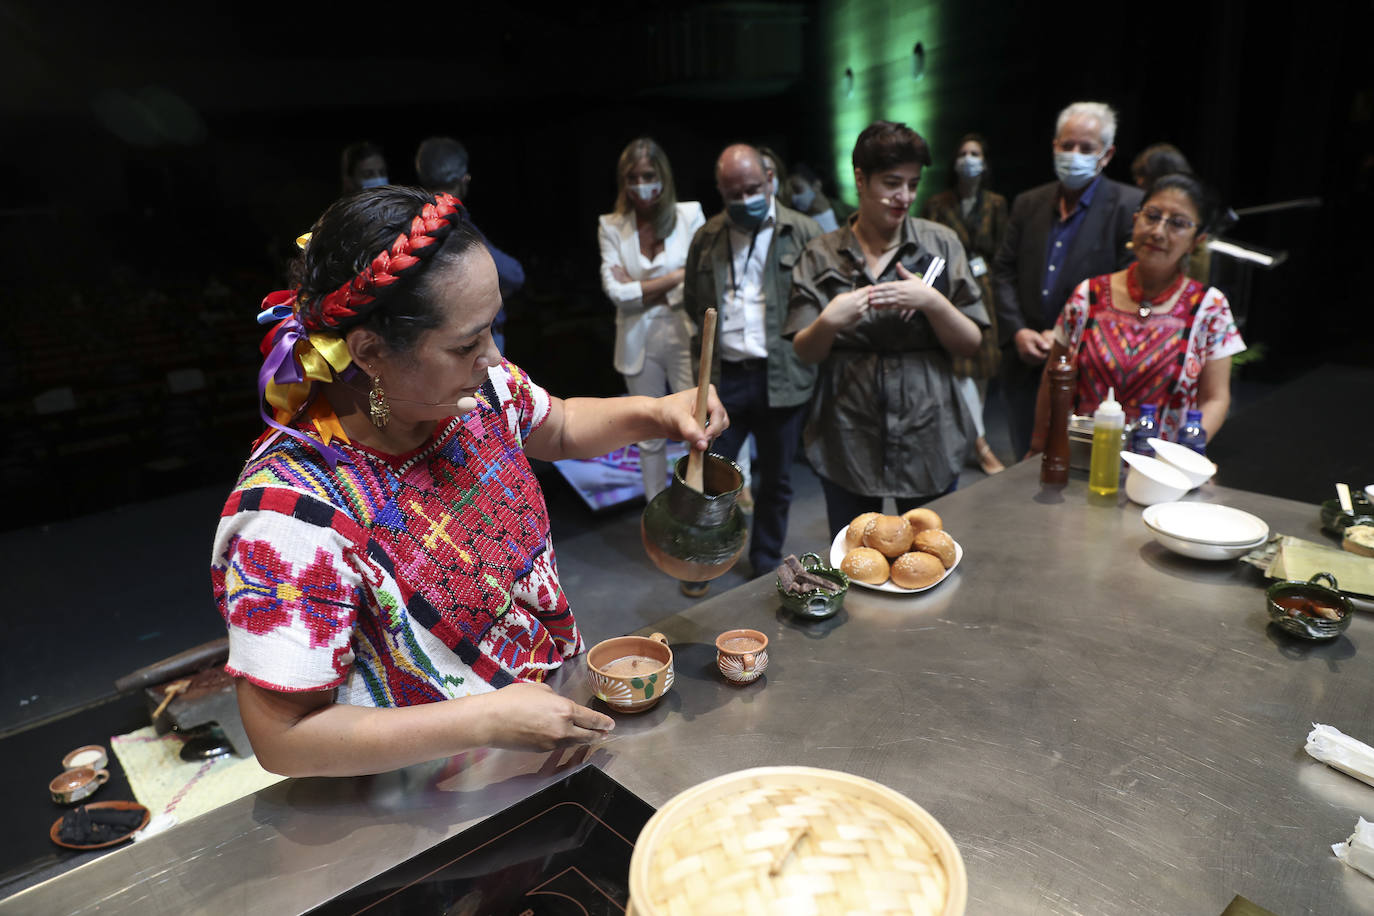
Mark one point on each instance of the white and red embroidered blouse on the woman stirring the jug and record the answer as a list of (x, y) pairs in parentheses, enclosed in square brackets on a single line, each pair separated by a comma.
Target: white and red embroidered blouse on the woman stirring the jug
[(401, 580)]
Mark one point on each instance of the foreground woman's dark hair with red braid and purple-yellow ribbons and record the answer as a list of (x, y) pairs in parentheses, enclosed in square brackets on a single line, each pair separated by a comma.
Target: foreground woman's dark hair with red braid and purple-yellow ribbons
[(363, 267)]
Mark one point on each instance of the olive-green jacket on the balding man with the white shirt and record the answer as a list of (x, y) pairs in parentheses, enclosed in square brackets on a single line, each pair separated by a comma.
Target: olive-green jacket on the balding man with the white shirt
[(707, 278)]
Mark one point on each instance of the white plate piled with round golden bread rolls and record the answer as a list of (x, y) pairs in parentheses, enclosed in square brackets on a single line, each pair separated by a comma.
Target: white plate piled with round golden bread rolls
[(902, 554)]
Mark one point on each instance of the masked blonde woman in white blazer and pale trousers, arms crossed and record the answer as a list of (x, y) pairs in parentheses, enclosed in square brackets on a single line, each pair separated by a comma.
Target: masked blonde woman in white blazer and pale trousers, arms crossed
[(644, 247)]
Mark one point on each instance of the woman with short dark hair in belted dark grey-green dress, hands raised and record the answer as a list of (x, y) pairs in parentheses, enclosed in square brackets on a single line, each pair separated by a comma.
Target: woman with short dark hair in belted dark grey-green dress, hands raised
[(887, 418)]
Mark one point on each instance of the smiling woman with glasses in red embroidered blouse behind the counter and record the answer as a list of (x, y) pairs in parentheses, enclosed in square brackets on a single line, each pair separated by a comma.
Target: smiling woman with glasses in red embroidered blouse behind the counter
[(1149, 332)]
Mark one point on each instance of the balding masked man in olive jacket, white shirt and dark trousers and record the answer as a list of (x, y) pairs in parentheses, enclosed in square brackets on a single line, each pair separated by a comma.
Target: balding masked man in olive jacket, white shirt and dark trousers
[(741, 264)]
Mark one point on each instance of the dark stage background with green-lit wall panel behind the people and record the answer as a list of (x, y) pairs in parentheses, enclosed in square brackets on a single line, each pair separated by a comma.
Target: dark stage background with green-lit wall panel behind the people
[(160, 161)]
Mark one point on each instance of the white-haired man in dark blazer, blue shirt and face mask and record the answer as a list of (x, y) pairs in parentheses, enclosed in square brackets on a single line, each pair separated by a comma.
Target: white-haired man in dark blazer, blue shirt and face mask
[(1059, 236)]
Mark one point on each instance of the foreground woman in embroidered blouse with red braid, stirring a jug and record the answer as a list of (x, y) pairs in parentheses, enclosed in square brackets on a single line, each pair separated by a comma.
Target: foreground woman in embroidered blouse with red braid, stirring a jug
[(387, 546)]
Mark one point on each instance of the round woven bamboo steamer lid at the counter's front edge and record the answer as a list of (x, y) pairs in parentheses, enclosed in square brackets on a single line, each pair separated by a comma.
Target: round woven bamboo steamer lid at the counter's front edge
[(796, 841)]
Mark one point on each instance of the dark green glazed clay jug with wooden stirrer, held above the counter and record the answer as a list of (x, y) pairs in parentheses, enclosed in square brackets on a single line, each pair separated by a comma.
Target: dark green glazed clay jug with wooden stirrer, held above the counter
[(695, 536)]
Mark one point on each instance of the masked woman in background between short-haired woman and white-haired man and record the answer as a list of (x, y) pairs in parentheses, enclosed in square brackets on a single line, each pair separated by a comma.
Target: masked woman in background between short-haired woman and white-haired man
[(979, 218)]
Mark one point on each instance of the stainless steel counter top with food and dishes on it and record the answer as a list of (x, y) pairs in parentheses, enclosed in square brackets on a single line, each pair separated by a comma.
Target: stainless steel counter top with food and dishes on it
[(1103, 727)]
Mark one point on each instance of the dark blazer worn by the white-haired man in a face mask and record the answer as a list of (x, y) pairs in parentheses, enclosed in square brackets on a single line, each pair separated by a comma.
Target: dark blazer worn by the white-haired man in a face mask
[(1099, 248)]
